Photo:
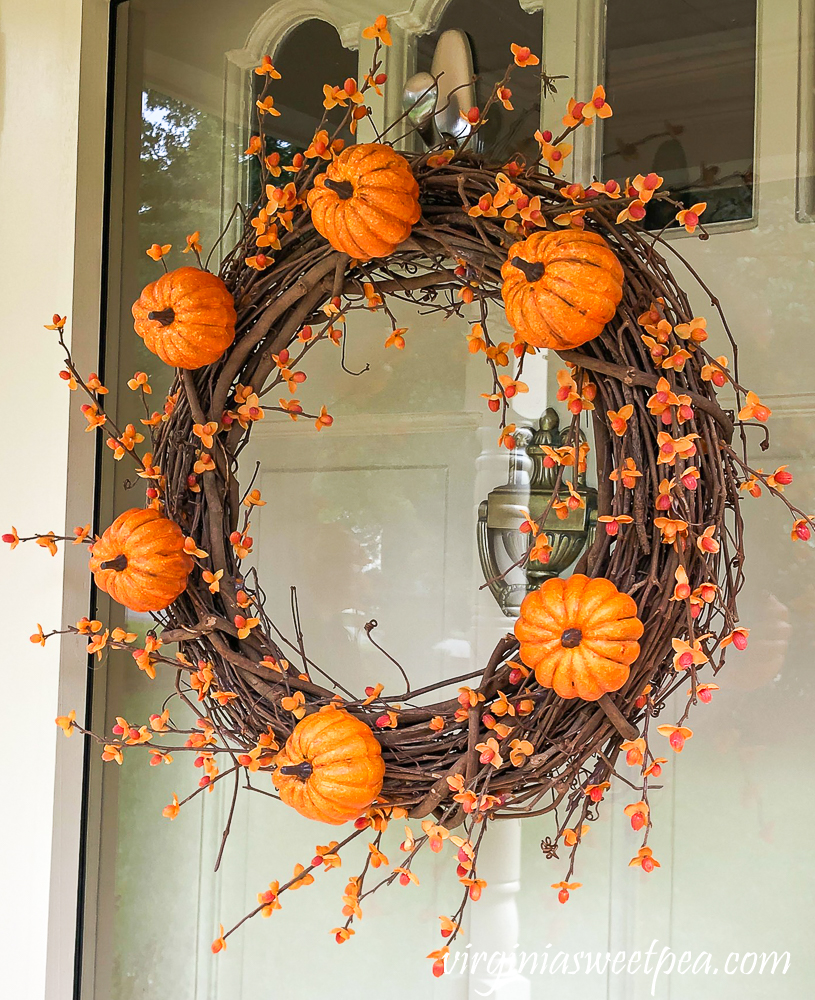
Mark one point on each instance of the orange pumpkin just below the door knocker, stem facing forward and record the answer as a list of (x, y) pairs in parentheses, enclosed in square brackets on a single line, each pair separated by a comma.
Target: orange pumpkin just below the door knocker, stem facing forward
[(579, 635)]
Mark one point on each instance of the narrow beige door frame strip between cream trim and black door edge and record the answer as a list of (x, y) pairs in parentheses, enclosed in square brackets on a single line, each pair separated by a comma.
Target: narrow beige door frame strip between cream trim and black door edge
[(91, 76)]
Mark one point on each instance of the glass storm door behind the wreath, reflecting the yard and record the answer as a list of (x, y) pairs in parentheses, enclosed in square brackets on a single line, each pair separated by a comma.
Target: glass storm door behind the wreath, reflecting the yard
[(376, 519)]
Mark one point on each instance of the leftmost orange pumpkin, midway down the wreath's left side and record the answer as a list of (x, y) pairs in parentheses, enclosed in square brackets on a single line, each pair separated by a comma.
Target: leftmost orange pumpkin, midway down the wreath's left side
[(140, 560)]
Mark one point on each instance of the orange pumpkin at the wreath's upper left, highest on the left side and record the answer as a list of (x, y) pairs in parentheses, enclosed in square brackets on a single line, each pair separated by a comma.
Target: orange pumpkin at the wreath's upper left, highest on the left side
[(187, 317)]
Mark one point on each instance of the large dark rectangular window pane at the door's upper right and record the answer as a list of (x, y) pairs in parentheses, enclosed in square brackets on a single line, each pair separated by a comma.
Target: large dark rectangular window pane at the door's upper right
[(681, 80)]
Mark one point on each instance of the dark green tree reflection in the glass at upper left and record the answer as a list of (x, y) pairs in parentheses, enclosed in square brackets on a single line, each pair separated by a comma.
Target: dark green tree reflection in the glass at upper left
[(179, 191)]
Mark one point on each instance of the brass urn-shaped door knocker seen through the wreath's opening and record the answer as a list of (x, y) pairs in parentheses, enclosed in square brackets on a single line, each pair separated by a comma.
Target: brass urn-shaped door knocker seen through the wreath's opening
[(529, 490)]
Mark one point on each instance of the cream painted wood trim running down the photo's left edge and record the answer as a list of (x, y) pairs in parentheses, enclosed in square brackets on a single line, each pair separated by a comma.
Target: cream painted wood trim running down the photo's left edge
[(49, 459)]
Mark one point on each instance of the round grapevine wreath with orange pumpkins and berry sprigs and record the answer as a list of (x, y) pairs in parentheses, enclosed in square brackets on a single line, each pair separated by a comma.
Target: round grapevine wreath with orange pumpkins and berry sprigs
[(569, 701)]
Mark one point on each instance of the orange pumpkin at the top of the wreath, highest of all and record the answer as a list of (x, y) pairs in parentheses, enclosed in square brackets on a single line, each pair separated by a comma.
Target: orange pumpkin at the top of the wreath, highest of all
[(366, 201)]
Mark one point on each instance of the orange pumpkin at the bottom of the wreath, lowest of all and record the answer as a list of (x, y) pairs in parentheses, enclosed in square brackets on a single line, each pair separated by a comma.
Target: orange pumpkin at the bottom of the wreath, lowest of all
[(331, 768)]
